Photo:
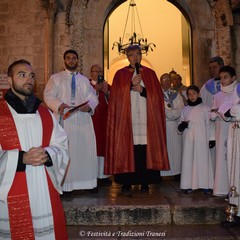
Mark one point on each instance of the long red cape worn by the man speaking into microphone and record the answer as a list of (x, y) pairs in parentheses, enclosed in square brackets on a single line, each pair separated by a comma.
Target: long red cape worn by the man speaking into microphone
[(119, 138)]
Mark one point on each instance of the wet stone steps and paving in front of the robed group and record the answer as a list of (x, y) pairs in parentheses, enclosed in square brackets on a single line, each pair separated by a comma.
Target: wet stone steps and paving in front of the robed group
[(165, 212)]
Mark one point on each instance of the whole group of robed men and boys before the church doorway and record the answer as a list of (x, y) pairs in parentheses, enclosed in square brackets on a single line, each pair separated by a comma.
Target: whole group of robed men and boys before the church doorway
[(89, 133)]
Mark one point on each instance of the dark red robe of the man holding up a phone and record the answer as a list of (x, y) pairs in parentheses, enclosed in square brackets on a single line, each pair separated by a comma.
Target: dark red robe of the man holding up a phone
[(100, 123)]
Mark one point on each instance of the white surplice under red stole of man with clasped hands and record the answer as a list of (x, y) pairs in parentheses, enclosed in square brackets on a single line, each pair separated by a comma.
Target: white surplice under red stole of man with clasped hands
[(30, 135)]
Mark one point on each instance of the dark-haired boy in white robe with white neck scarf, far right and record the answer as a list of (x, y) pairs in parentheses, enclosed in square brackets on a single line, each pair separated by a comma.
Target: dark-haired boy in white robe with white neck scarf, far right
[(222, 102)]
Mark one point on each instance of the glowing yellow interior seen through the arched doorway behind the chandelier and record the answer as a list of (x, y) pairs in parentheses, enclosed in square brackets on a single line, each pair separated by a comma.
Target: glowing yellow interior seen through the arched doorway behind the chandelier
[(168, 28)]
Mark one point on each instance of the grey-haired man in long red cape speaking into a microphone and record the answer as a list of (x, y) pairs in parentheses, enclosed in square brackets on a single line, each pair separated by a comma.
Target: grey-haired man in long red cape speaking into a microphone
[(136, 130)]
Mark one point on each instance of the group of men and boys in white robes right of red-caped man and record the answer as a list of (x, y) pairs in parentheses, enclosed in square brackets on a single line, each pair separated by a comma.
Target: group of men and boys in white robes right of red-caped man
[(209, 125)]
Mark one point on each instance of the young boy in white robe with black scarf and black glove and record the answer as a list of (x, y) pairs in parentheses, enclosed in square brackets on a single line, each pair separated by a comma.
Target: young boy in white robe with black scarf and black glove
[(197, 169)]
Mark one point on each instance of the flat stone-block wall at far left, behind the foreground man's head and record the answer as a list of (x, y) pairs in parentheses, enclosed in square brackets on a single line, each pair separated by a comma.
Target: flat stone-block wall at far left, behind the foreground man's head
[(22, 35)]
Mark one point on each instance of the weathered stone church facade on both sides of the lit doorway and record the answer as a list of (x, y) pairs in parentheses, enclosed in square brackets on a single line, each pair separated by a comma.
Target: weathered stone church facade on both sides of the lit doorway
[(41, 30)]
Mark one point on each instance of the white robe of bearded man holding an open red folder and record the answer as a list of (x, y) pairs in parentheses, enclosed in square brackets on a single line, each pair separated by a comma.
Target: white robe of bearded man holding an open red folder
[(82, 170)]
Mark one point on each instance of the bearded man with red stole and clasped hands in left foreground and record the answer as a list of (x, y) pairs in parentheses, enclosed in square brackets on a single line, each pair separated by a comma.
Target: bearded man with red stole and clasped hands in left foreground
[(33, 160)]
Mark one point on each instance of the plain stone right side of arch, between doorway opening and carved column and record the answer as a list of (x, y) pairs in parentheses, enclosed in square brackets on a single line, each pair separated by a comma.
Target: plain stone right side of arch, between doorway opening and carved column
[(203, 37)]
